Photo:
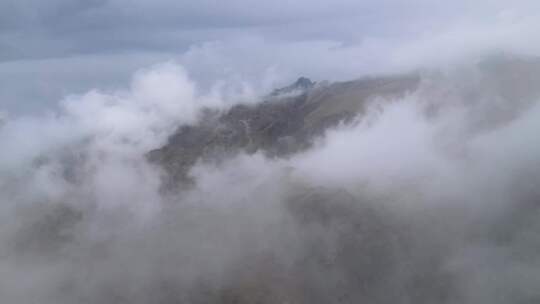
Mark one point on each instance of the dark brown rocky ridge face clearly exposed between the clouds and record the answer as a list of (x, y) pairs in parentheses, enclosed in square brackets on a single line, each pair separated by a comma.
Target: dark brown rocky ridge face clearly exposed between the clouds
[(279, 126)]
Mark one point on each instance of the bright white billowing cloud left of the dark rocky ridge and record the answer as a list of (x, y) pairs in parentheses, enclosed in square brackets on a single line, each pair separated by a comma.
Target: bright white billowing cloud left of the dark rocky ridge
[(135, 120)]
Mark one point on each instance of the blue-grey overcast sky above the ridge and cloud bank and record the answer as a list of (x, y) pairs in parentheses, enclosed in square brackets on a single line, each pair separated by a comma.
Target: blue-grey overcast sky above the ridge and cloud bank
[(49, 49)]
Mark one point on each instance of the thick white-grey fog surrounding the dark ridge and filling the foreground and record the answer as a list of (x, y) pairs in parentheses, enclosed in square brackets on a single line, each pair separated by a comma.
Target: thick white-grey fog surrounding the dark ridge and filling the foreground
[(427, 198)]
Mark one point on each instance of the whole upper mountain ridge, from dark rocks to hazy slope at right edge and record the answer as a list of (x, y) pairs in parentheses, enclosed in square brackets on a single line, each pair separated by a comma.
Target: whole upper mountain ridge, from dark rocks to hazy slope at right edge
[(286, 123)]
